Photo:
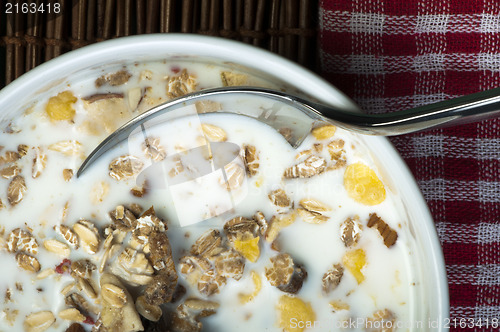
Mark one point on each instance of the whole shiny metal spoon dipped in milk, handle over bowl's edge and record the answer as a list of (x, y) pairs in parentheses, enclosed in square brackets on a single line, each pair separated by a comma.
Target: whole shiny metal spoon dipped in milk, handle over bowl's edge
[(299, 115)]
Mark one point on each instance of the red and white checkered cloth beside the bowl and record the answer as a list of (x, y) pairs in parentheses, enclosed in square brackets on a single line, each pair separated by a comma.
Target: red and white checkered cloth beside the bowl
[(390, 55)]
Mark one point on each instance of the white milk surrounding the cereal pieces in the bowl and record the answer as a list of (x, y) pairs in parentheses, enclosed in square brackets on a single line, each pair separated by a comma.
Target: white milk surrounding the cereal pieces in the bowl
[(390, 279)]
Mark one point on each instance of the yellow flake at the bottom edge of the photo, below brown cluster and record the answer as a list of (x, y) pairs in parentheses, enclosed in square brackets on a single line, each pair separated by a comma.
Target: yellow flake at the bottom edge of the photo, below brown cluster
[(293, 310)]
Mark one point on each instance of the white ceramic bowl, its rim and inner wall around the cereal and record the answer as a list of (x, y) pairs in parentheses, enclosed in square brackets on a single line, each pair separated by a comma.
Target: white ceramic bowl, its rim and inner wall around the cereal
[(430, 303)]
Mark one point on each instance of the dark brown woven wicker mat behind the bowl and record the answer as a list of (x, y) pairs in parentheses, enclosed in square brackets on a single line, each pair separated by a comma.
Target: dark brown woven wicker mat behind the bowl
[(286, 27)]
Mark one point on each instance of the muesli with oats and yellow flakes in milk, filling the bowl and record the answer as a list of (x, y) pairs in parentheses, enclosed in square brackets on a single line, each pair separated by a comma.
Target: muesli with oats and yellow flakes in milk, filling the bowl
[(276, 238)]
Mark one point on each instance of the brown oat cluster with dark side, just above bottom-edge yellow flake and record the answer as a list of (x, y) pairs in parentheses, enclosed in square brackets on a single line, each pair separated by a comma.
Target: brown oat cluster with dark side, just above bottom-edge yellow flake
[(285, 274)]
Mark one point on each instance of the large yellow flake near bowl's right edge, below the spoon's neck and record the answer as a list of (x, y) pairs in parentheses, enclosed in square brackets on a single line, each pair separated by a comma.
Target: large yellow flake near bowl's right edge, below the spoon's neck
[(363, 185)]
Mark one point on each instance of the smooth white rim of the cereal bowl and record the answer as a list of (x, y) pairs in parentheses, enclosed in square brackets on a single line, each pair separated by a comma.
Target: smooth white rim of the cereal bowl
[(230, 50)]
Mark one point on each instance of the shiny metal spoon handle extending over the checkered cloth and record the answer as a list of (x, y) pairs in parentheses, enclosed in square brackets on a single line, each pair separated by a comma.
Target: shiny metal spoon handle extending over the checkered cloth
[(470, 108)]
